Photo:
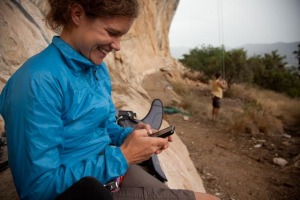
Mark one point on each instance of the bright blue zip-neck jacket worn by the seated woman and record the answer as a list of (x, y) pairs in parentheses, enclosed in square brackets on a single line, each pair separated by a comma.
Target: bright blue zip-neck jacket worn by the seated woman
[(60, 123)]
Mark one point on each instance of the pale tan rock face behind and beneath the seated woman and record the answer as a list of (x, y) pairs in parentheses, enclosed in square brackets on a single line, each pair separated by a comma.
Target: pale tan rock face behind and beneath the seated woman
[(144, 50)]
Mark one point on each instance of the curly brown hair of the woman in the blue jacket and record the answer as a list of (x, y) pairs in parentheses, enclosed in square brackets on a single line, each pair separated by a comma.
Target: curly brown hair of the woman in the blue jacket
[(59, 14)]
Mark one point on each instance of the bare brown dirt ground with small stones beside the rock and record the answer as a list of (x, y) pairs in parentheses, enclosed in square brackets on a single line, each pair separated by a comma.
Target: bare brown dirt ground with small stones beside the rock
[(234, 166)]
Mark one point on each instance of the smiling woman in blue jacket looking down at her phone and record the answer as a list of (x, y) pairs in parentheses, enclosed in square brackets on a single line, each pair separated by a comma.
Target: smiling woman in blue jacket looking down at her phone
[(59, 115)]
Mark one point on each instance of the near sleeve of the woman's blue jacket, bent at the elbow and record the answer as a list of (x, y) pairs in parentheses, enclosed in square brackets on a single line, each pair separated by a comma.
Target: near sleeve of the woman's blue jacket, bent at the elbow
[(39, 143)]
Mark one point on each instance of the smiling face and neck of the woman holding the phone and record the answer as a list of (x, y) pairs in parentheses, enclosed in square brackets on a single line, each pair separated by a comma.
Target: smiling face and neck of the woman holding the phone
[(94, 39)]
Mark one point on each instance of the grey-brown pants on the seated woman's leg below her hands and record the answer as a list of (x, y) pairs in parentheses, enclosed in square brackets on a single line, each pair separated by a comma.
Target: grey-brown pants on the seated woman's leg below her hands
[(137, 184)]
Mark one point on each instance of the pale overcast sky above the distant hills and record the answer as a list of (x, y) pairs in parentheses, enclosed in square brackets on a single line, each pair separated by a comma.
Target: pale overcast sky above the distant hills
[(234, 23)]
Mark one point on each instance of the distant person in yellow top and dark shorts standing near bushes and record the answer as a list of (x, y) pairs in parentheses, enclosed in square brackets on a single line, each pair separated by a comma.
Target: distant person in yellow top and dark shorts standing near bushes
[(217, 87)]
